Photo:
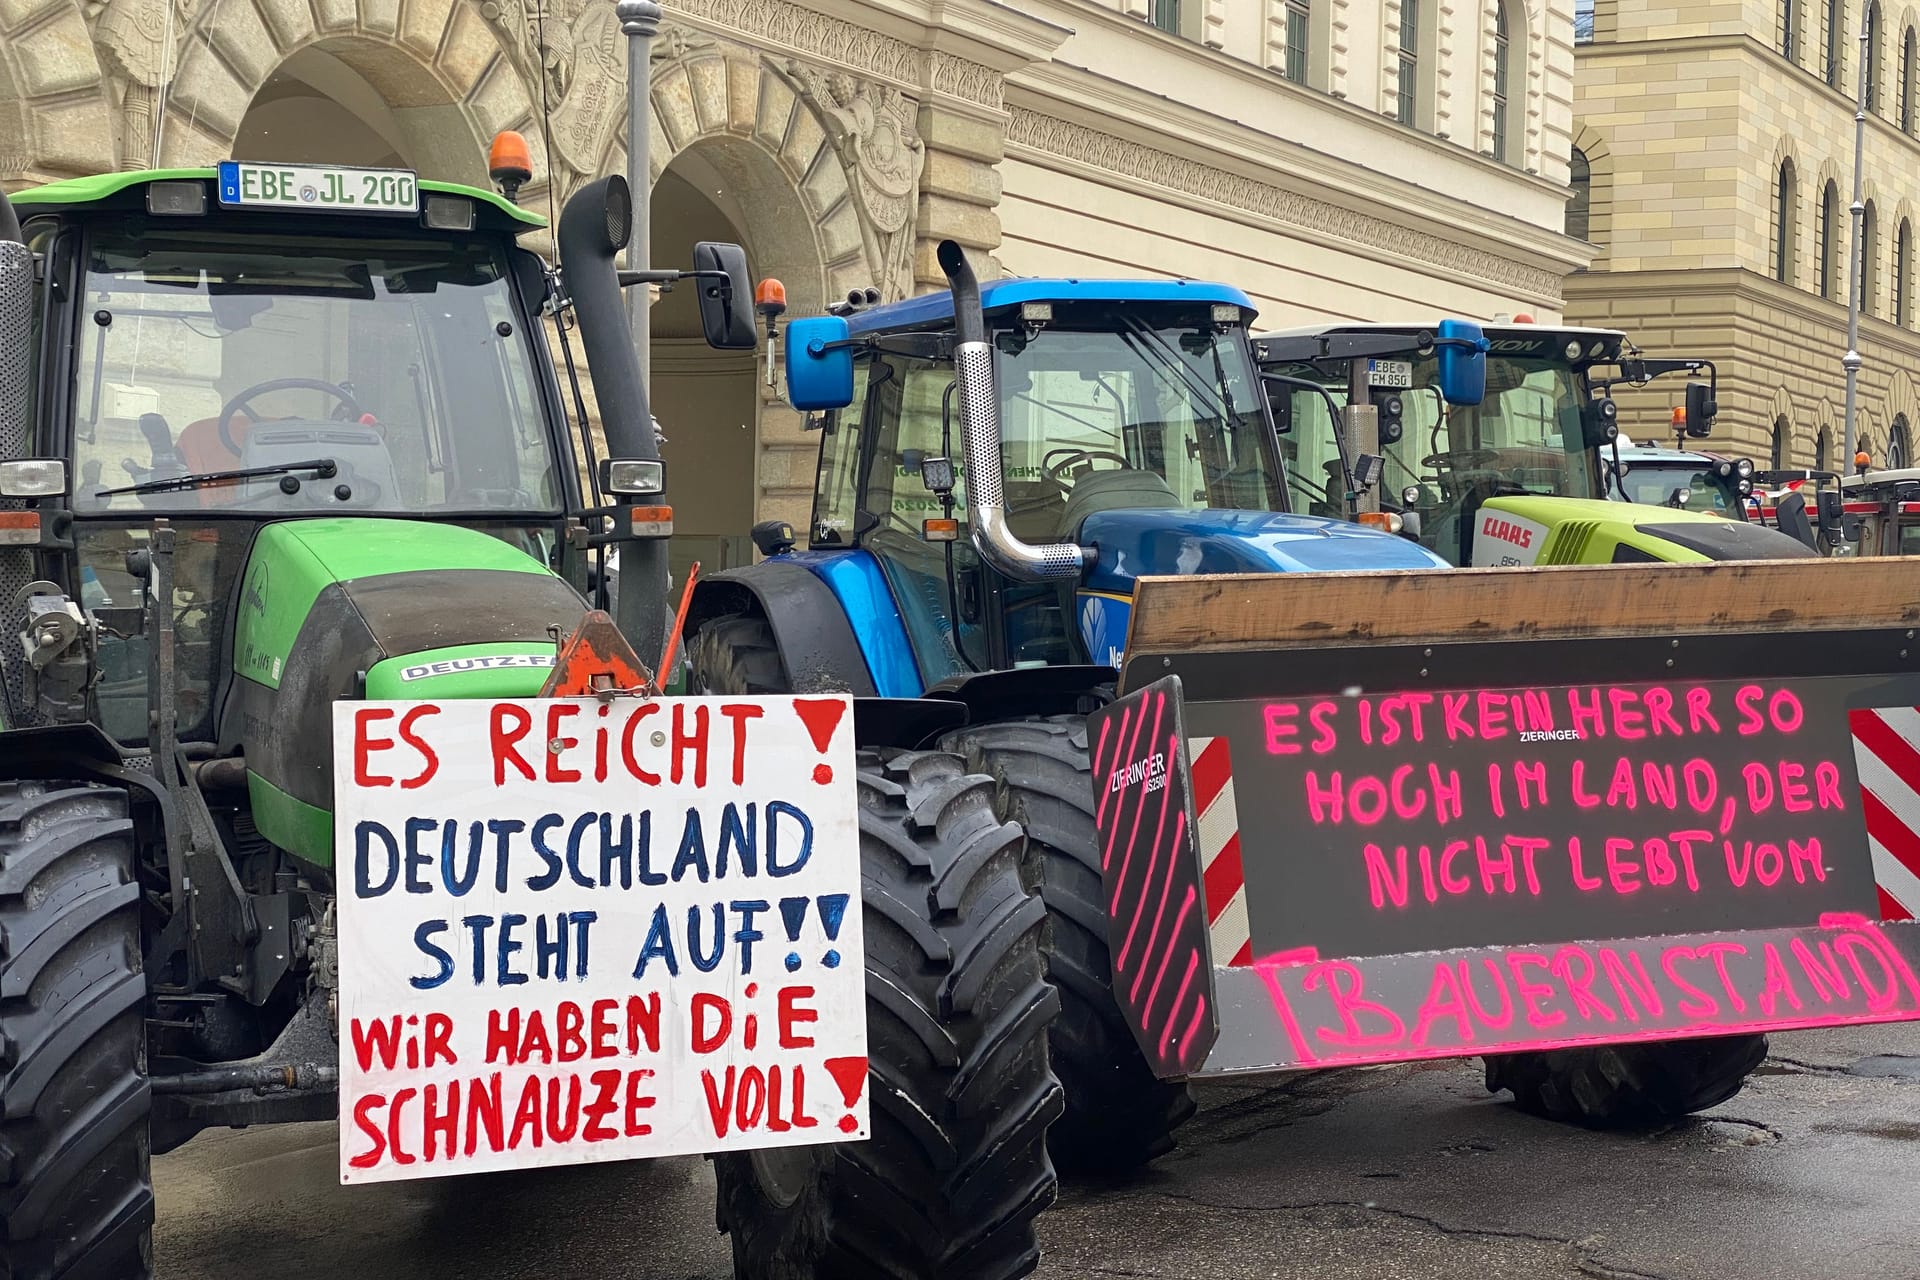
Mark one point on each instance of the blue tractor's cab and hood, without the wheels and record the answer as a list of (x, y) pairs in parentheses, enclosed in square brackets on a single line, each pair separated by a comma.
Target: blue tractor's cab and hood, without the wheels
[(1130, 437)]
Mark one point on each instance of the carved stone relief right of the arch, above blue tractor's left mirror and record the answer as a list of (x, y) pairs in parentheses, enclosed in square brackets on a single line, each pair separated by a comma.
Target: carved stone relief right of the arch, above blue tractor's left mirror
[(871, 128)]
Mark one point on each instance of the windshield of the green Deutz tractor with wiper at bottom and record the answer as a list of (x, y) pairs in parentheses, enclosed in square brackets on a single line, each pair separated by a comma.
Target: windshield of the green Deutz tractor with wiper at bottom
[(396, 360)]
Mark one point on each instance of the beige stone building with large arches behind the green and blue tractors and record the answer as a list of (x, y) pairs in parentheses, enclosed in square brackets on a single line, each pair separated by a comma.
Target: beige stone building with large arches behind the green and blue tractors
[(1337, 158)]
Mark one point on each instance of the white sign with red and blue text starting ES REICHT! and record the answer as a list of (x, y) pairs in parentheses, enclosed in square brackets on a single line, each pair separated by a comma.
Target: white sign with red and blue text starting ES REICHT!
[(583, 932)]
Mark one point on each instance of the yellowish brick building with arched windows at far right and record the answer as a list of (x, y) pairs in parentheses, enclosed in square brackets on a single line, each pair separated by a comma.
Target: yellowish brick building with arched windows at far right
[(1719, 145)]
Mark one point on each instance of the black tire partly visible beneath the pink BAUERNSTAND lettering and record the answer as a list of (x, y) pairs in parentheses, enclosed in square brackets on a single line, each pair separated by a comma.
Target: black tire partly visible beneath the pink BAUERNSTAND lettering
[(1627, 1085)]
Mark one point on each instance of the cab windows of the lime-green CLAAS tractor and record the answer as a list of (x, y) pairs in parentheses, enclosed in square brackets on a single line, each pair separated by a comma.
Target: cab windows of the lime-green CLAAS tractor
[(1524, 439)]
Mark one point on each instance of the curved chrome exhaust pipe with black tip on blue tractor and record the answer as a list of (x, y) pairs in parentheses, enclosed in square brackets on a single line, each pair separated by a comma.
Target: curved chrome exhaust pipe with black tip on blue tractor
[(980, 431)]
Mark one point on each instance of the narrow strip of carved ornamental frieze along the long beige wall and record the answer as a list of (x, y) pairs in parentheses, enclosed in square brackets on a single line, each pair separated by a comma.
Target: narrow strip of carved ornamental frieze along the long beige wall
[(1178, 174)]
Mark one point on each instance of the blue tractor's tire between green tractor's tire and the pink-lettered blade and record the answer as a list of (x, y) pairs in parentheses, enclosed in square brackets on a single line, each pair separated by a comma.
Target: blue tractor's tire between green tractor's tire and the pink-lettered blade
[(1118, 1114)]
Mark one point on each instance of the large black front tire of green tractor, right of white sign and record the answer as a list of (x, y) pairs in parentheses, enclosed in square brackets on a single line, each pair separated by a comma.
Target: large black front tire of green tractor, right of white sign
[(961, 1093)]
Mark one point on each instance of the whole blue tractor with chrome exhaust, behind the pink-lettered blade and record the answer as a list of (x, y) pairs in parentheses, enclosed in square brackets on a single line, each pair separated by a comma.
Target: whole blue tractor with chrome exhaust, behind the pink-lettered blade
[(997, 469)]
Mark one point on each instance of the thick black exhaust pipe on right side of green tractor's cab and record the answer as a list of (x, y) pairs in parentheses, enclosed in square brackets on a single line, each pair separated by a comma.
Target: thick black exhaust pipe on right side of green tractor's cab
[(594, 227)]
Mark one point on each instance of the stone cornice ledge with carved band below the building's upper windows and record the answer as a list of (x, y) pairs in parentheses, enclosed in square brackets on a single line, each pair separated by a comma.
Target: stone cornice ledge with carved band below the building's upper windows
[(1335, 206)]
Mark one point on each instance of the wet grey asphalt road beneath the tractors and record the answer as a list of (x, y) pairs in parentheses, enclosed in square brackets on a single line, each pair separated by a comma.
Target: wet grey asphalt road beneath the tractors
[(1812, 1173)]
